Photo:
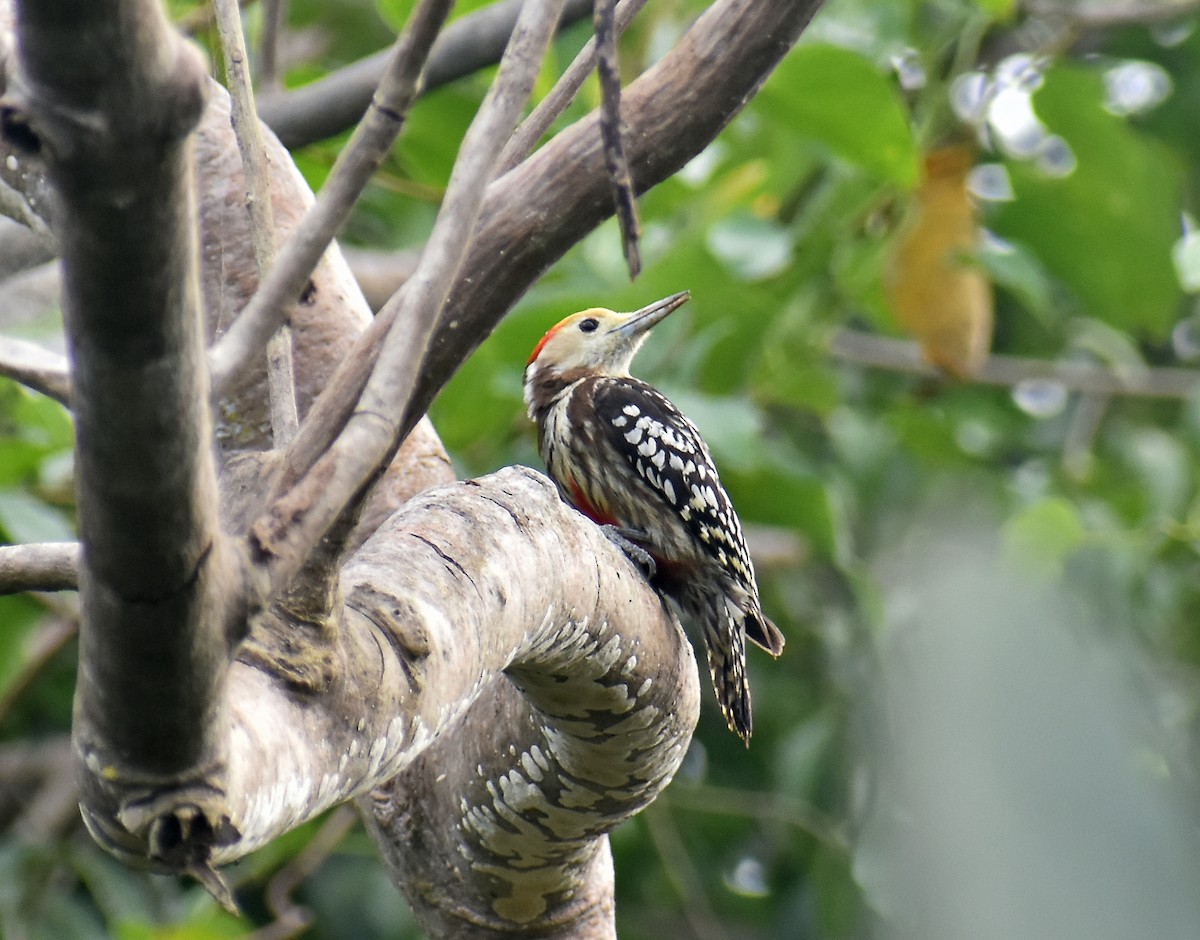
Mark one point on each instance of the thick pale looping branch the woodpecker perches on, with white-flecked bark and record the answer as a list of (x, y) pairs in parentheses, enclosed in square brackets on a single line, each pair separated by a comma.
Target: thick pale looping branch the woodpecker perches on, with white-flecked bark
[(458, 597)]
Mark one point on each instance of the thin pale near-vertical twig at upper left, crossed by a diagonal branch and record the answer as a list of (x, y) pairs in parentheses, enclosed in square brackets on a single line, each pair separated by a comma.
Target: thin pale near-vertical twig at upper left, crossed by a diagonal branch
[(281, 378)]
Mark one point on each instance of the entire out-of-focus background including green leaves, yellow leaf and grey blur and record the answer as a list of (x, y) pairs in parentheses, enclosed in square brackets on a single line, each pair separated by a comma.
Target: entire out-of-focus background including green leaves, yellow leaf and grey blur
[(985, 725)]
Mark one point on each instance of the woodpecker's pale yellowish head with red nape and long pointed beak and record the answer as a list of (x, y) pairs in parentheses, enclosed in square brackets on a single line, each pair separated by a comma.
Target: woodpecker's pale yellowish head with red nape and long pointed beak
[(598, 340)]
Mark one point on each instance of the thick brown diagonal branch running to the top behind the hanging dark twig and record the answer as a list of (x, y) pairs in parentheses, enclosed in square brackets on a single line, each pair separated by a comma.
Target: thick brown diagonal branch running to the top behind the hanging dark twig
[(537, 212)]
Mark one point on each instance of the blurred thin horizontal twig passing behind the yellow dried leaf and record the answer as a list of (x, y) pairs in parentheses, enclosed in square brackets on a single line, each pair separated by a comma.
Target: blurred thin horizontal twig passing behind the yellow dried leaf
[(904, 356)]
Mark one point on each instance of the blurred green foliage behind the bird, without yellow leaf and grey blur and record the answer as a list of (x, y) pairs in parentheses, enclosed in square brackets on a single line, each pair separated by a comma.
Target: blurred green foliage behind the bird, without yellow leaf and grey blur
[(845, 475)]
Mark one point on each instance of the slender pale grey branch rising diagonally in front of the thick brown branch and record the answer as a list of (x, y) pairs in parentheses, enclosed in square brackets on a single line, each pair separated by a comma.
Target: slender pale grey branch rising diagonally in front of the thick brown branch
[(341, 478)]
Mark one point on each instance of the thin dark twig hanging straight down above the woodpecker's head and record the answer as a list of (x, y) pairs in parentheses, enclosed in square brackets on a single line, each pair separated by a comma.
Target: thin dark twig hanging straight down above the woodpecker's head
[(611, 135)]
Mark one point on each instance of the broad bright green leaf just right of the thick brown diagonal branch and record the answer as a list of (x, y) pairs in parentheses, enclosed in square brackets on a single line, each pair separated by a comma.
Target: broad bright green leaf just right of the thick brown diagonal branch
[(843, 100)]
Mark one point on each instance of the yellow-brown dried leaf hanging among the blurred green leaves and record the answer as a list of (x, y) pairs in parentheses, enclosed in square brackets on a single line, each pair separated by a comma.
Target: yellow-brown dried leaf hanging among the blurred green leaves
[(937, 290)]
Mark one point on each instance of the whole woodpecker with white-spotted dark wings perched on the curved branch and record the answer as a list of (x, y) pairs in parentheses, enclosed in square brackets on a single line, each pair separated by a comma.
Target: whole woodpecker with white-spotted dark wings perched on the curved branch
[(623, 456)]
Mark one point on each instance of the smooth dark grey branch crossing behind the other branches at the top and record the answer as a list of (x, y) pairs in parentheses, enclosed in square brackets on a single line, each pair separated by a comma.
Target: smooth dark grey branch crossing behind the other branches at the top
[(332, 105)]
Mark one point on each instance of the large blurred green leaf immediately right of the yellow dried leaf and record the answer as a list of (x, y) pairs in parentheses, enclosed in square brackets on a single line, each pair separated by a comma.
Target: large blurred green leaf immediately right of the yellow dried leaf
[(1107, 229)]
